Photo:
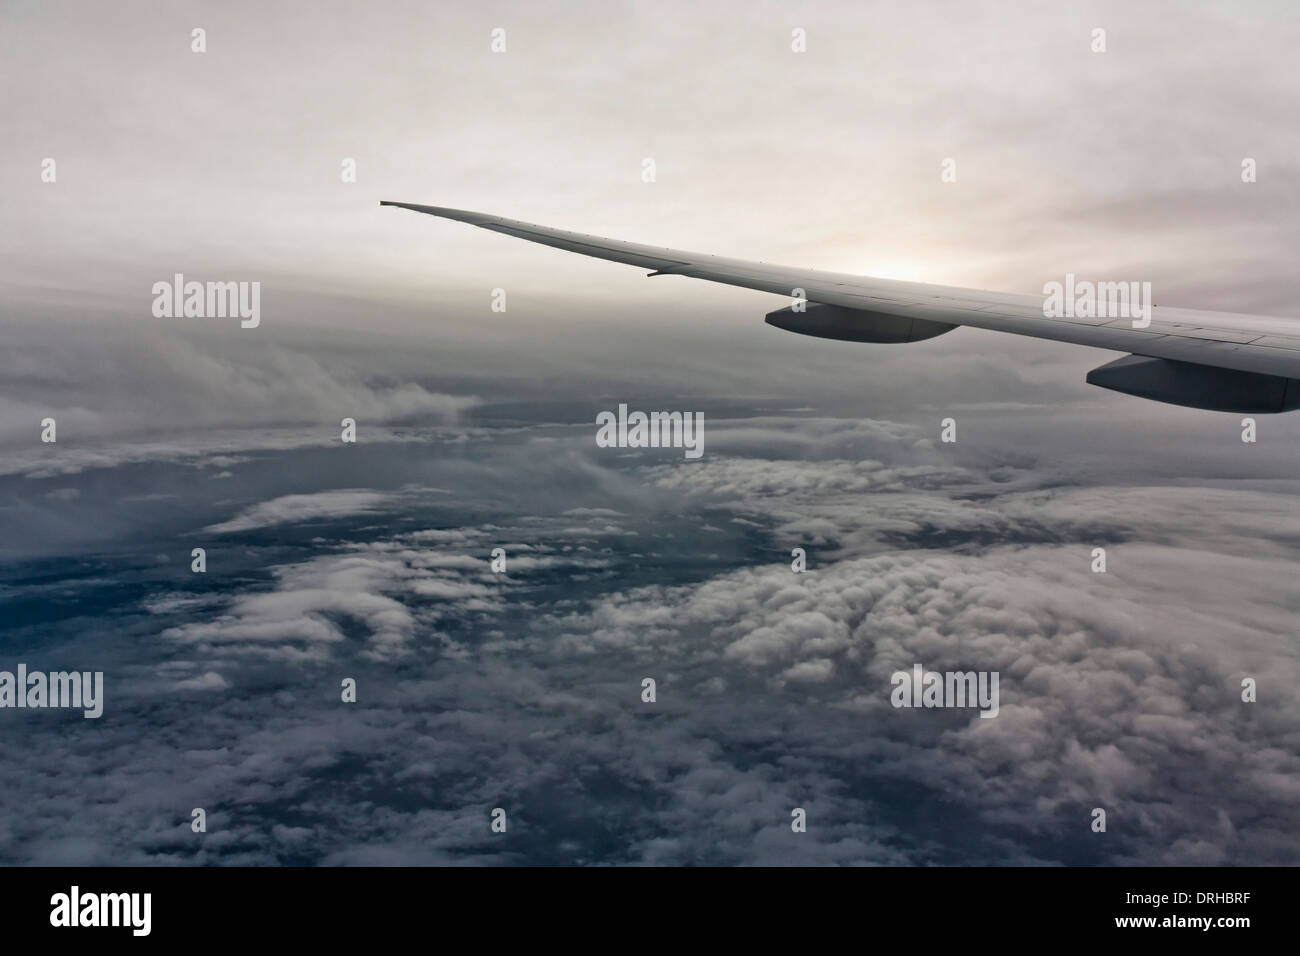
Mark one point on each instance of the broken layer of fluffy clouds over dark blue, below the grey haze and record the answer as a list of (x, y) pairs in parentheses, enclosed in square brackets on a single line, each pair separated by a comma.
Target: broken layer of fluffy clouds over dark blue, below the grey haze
[(523, 689)]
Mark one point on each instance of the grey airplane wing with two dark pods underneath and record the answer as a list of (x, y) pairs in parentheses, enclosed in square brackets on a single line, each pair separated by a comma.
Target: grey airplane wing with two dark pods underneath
[(1217, 361)]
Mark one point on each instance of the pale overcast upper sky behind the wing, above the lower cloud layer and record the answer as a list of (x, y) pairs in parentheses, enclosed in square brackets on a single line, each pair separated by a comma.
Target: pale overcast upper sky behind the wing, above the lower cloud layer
[(227, 166)]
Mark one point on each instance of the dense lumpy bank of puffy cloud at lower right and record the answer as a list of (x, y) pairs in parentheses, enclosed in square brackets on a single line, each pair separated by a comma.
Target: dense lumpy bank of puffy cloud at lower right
[(1115, 690)]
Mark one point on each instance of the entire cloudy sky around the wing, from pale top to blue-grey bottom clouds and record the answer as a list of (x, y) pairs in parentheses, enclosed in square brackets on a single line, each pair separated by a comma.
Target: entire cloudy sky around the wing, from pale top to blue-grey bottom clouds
[(476, 431)]
